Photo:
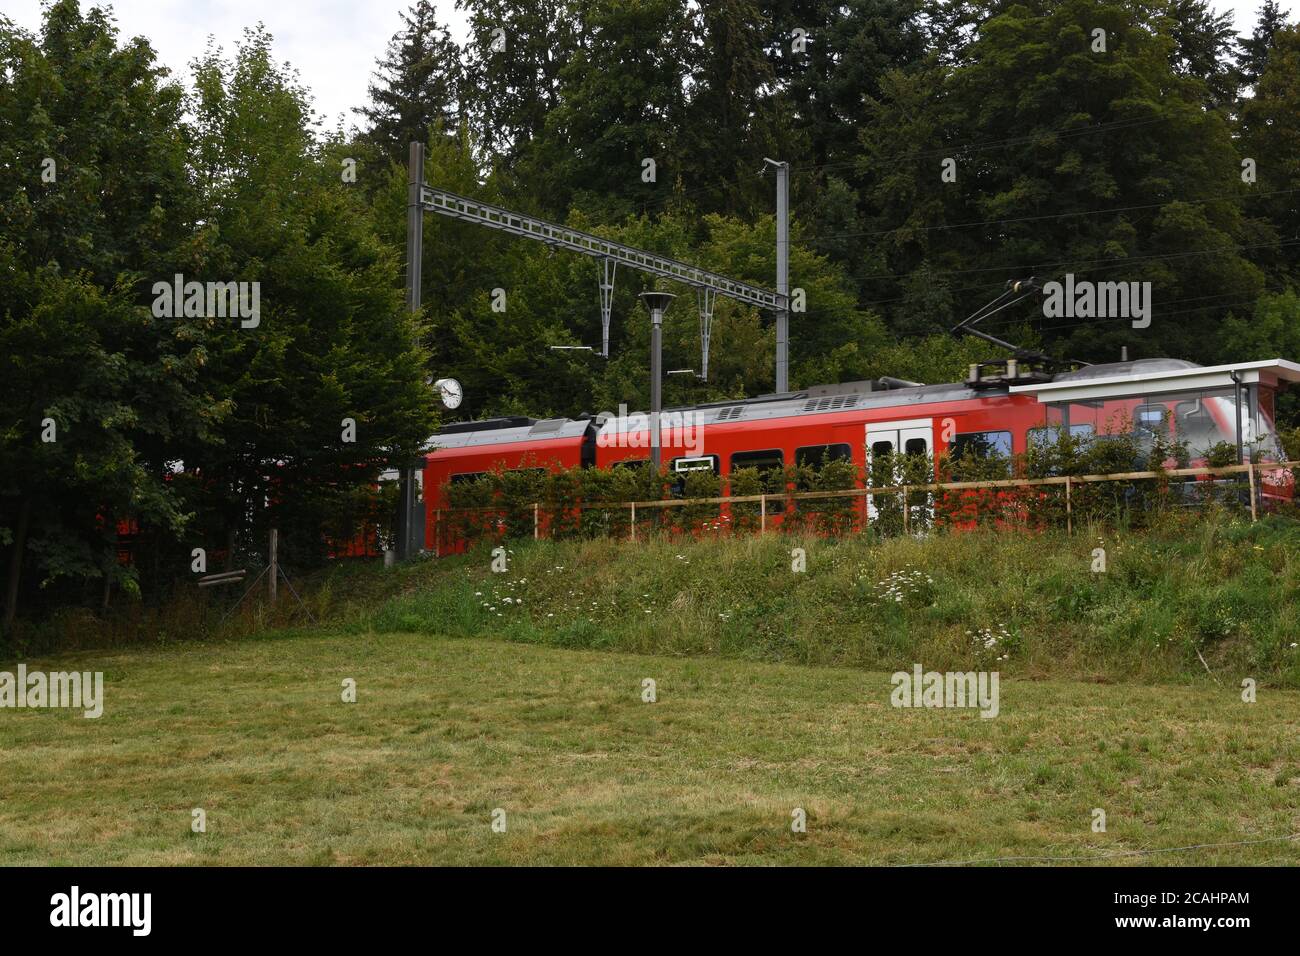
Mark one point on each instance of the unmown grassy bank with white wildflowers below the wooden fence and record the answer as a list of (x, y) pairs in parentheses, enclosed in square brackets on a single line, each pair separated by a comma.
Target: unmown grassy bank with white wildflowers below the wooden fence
[(1229, 594)]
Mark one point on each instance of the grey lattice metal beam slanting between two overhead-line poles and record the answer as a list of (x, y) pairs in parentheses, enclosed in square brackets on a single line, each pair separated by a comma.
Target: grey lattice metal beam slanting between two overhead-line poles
[(577, 241)]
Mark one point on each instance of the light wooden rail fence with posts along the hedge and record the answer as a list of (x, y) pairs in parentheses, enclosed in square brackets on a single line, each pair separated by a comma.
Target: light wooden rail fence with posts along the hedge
[(764, 516)]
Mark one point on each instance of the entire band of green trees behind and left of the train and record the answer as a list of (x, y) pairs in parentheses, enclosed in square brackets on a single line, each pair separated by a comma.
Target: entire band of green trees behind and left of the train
[(937, 152)]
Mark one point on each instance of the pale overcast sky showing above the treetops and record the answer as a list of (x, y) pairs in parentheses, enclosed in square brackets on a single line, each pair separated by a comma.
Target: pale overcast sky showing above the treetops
[(333, 44)]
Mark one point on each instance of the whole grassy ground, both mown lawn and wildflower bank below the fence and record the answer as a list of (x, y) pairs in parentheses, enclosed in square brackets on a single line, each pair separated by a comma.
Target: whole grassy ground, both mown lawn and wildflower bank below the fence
[(447, 730)]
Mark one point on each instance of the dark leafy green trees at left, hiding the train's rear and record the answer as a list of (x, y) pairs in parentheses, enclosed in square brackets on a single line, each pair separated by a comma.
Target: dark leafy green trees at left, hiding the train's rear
[(179, 430)]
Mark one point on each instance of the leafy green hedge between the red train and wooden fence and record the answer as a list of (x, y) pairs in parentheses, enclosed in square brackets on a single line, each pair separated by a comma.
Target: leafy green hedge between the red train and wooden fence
[(593, 503)]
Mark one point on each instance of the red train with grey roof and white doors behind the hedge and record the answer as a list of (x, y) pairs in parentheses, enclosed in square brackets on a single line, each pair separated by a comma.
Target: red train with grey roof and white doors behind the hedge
[(1002, 412)]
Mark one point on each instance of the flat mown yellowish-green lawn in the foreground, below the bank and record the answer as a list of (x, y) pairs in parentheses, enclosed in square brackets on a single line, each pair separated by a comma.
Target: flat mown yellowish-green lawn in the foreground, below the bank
[(448, 730)]
